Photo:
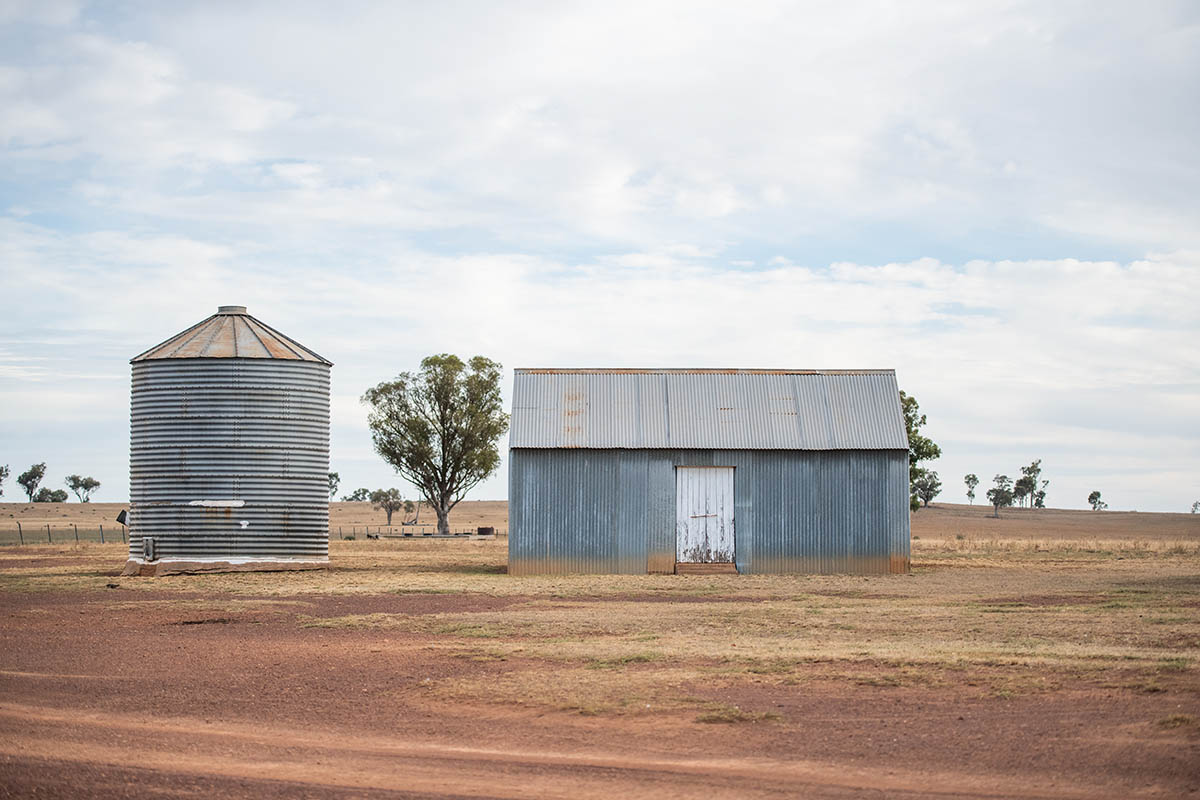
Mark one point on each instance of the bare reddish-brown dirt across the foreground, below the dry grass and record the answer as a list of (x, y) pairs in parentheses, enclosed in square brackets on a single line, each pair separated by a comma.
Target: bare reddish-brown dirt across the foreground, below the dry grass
[(170, 702)]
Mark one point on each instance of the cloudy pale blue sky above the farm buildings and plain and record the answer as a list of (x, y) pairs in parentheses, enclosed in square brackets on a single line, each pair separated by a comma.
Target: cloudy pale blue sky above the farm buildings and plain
[(1001, 201)]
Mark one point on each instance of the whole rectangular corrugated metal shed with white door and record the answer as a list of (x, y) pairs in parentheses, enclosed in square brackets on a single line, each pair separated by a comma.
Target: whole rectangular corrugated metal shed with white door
[(707, 472)]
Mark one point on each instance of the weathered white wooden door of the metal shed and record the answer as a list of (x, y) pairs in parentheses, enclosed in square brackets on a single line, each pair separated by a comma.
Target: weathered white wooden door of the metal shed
[(705, 515)]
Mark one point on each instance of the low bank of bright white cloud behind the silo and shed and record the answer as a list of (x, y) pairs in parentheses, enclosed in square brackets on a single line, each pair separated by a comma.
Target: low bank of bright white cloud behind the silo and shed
[(1085, 365)]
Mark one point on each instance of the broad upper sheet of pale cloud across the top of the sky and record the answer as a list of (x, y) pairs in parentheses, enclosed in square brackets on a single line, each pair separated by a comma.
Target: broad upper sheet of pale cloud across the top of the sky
[(632, 124)]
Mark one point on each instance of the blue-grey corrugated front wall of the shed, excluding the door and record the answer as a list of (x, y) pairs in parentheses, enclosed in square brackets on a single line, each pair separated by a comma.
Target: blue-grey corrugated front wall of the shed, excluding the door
[(795, 512)]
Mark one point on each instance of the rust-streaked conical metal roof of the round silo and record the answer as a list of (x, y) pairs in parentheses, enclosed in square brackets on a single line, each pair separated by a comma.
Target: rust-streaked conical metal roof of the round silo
[(231, 334)]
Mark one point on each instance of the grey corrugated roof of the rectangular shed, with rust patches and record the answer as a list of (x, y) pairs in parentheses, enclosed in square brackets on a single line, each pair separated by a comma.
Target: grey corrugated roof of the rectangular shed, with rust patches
[(727, 410)]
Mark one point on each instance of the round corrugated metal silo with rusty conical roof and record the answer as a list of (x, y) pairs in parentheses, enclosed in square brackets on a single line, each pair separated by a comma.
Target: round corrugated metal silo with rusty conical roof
[(229, 452)]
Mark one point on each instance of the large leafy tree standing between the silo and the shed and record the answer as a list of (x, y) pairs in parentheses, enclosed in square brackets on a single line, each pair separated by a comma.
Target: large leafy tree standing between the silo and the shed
[(440, 428)]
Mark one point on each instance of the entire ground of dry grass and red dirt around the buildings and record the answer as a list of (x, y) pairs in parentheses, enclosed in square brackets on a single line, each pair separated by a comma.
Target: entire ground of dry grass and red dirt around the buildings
[(1049, 654)]
